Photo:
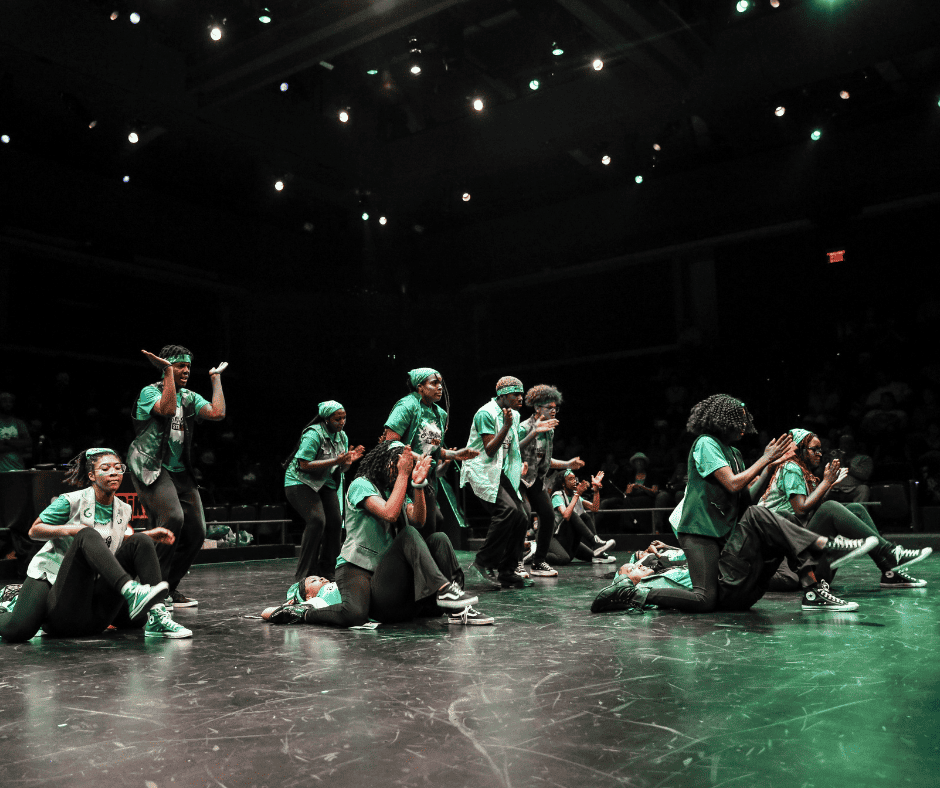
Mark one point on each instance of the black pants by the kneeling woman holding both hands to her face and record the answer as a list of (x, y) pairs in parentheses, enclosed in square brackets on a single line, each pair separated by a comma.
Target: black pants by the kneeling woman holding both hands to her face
[(404, 584)]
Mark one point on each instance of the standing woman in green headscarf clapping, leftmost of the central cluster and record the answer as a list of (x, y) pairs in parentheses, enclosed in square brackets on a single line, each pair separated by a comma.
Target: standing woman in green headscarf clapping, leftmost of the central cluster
[(312, 480)]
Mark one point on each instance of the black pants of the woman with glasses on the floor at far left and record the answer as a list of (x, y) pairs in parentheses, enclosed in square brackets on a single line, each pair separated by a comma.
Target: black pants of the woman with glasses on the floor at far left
[(85, 597)]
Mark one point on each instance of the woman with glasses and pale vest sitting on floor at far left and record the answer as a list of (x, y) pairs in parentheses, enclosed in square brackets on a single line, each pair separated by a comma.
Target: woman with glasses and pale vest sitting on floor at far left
[(82, 578)]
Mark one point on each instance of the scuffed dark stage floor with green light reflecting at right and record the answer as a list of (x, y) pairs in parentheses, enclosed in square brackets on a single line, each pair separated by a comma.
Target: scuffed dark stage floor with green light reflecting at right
[(550, 696)]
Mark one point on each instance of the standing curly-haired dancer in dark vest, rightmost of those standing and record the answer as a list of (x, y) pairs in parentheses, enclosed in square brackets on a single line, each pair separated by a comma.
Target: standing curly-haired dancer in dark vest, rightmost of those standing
[(536, 438)]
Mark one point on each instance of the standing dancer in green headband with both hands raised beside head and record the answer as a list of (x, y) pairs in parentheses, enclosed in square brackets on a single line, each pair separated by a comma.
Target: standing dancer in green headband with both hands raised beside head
[(160, 462)]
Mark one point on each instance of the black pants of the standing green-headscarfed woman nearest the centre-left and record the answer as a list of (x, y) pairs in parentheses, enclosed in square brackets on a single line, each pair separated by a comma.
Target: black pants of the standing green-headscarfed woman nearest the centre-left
[(320, 544)]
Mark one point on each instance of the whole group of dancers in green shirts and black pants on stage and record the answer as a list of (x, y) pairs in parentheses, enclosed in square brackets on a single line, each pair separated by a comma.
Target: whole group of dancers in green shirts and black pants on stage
[(394, 563)]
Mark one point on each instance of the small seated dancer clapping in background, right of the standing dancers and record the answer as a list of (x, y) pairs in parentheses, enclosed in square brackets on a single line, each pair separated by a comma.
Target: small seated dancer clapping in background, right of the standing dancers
[(574, 538)]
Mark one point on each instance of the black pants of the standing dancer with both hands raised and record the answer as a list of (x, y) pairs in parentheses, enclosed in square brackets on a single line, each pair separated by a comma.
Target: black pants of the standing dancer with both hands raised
[(173, 502)]
